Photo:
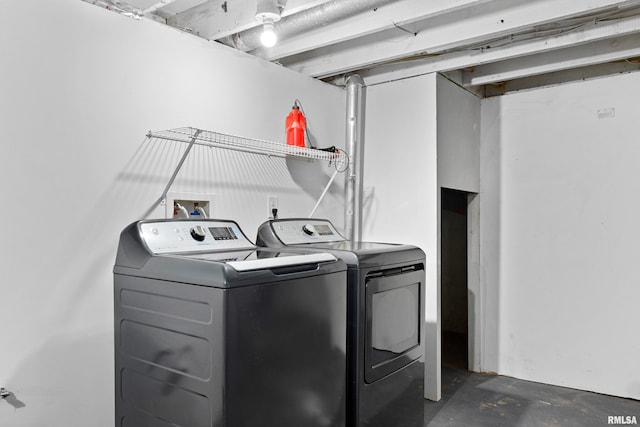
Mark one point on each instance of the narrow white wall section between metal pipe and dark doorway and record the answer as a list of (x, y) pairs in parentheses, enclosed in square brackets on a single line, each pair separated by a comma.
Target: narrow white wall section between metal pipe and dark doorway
[(400, 187)]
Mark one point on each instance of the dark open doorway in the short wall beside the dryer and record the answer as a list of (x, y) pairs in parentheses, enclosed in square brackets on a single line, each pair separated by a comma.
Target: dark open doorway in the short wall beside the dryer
[(454, 286)]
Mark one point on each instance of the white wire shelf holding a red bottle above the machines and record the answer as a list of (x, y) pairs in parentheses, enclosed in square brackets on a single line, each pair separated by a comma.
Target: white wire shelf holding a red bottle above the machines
[(249, 145)]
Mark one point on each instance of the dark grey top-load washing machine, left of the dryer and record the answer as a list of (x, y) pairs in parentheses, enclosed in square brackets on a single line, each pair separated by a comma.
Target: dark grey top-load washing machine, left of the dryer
[(211, 331)]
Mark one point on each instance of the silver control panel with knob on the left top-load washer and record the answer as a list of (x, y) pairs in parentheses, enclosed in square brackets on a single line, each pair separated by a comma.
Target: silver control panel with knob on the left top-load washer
[(193, 236)]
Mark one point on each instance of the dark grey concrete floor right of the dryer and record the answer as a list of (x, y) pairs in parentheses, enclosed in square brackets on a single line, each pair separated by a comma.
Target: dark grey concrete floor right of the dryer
[(475, 399)]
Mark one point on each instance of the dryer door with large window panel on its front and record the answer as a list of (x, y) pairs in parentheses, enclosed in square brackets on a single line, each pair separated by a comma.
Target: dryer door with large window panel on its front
[(394, 316)]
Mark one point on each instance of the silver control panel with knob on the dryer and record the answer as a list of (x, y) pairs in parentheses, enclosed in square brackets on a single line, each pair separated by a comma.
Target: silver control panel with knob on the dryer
[(299, 231)]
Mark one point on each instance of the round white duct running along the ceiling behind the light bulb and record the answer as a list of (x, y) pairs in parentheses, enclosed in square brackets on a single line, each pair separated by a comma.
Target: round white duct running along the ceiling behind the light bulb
[(300, 22)]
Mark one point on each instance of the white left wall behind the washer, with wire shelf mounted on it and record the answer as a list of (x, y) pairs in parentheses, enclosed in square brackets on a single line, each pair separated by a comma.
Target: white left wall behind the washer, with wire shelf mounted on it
[(80, 88)]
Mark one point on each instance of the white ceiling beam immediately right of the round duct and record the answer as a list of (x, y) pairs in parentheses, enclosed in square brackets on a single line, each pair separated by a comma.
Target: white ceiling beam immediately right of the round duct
[(399, 13)]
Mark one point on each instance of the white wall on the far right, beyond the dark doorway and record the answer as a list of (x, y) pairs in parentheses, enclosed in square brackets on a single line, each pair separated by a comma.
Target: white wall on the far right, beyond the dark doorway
[(560, 234)]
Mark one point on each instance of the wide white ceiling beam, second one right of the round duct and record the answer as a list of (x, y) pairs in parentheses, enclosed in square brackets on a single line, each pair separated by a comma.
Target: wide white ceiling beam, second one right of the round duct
[(484, 22)]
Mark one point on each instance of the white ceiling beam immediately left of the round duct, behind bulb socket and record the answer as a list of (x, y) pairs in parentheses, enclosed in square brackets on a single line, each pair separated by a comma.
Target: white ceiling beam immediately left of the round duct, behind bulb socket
[(216, 19)]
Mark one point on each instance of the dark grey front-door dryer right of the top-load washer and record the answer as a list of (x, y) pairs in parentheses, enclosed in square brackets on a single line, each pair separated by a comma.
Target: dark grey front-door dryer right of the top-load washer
[(385, 319)]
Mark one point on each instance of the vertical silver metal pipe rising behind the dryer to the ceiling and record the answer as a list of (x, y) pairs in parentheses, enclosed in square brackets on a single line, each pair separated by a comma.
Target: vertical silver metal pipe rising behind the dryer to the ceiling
[(355, 149)]
